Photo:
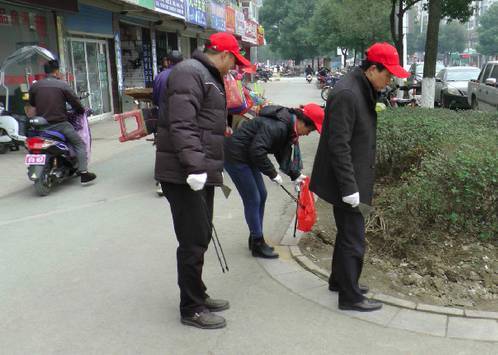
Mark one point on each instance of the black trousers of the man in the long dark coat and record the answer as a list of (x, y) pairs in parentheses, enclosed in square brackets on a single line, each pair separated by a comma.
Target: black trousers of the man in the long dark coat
[(347, 261)]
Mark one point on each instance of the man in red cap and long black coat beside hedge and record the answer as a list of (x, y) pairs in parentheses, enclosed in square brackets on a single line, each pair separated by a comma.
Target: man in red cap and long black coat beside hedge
[(343, 171)]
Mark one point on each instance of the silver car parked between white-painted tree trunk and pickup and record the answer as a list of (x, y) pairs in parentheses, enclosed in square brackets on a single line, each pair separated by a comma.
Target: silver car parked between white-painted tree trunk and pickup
[(451, 86)]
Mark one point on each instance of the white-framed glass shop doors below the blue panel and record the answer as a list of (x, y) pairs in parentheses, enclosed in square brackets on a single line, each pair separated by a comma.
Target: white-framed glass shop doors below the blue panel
[(89, 62)]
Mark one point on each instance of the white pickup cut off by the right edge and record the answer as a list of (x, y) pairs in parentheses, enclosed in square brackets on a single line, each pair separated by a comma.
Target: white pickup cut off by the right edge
[(483, 92)]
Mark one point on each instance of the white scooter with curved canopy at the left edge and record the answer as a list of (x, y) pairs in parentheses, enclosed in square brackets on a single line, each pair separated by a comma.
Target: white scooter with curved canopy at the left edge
[(12, 126)]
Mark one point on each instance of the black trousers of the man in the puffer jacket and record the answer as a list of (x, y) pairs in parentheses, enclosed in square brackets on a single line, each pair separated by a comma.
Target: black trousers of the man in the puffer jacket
[(192, 217)]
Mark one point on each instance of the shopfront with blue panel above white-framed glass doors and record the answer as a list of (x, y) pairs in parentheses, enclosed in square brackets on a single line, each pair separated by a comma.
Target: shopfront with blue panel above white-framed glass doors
[(87, 56)]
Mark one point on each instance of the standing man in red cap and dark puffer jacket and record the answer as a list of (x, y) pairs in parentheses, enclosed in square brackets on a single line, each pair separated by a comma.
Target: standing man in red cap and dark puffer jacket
[(189, 164)]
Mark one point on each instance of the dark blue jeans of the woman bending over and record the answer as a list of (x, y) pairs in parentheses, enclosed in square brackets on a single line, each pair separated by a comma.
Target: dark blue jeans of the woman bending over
[(252, 190)]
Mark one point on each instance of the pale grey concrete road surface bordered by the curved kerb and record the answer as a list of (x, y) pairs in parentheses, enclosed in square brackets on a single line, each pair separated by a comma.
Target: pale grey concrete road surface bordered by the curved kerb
[(92, 270)]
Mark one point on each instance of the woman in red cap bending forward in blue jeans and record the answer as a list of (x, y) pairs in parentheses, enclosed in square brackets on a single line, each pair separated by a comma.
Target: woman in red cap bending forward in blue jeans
[(276, 131)]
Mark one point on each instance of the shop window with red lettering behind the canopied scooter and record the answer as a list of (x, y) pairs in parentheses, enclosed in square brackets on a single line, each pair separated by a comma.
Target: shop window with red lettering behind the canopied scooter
[(19, 27)]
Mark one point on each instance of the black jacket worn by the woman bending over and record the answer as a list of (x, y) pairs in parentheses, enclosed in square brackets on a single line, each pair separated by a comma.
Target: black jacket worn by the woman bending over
[(270, 133)]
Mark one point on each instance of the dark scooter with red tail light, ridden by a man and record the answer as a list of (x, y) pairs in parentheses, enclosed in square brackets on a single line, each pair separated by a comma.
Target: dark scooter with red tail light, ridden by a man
[(50, 159)]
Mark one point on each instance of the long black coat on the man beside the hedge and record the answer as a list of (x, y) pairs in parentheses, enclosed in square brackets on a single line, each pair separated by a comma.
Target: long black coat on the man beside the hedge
[(344, 162)]
